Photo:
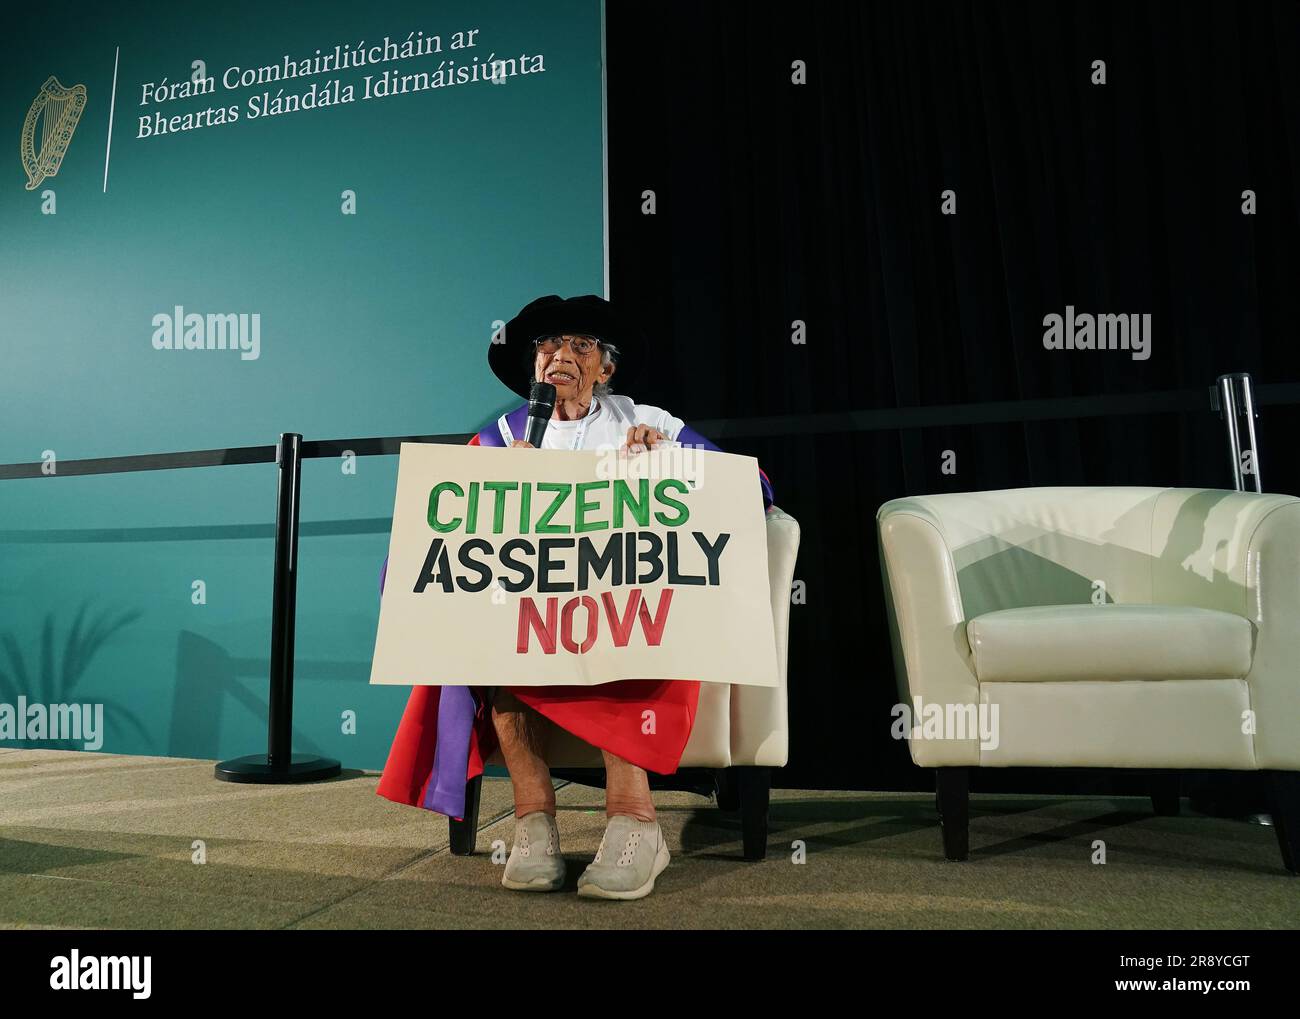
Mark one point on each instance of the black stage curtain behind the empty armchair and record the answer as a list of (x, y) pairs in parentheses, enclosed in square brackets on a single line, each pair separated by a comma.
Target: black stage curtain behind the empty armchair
[(821, 203)]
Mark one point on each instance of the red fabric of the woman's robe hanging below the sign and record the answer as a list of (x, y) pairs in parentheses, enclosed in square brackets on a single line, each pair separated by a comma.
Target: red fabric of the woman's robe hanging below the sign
[(606, 717)]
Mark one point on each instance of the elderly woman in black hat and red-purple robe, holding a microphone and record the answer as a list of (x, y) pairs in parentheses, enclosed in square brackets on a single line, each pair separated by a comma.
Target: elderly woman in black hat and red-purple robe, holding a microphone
[(448, 734)]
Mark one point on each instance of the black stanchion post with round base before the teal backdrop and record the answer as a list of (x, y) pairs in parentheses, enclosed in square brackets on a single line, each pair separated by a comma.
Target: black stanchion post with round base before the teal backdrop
[(281, 765)]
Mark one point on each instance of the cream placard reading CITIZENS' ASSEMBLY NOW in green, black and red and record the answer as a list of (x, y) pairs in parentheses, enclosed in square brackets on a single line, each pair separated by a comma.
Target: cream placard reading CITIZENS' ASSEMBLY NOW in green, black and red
[(513, 567)]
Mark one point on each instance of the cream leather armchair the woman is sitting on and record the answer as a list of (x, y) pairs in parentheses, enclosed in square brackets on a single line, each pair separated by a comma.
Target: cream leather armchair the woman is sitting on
[(742, 730)]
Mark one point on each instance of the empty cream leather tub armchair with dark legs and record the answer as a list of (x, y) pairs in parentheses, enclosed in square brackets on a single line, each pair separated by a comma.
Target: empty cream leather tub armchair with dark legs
[(1112, 628)]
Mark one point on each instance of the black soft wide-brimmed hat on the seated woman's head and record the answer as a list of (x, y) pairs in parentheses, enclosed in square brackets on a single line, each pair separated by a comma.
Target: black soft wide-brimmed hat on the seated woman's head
[(513, 361)]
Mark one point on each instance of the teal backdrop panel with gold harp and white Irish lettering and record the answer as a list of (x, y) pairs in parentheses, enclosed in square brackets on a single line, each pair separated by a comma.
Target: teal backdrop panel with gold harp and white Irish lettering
[(370, 246)]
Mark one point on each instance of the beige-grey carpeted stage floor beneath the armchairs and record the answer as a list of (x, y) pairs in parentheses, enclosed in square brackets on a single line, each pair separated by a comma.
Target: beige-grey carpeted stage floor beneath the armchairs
[(106, 842)]
